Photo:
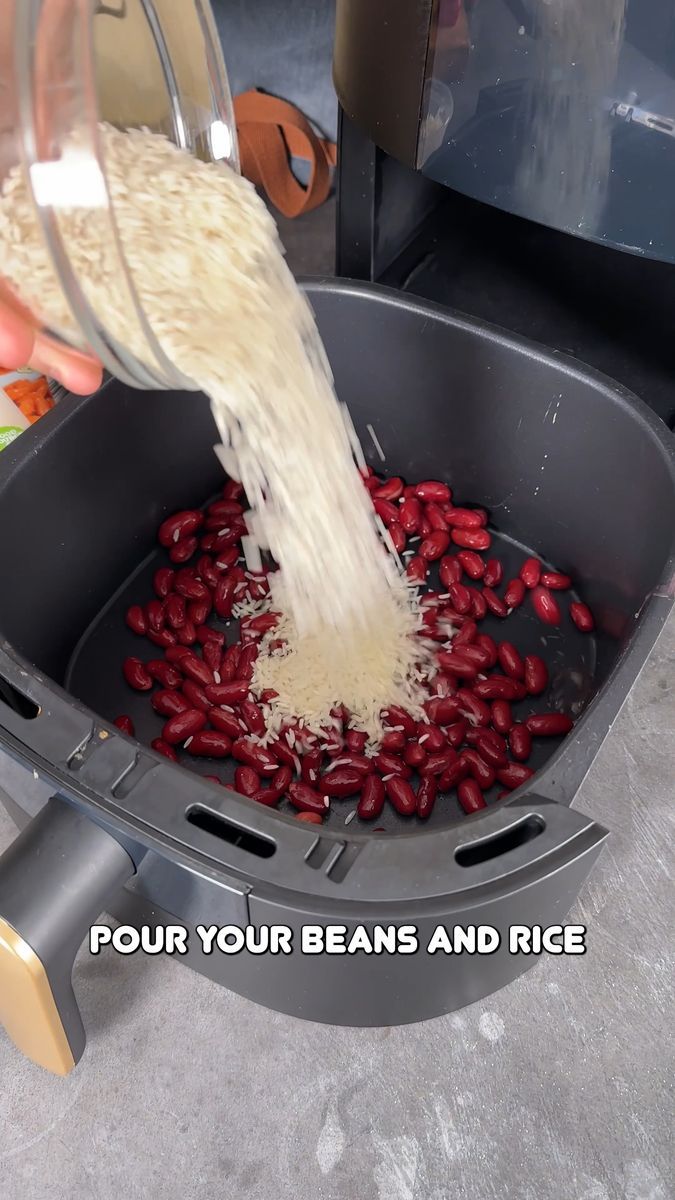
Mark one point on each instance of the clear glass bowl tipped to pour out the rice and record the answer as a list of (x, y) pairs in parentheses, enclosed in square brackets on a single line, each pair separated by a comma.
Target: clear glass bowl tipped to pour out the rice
[(73, 64)]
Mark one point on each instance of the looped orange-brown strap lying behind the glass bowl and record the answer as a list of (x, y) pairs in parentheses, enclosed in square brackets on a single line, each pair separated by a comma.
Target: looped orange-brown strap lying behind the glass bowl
[(272, 133)]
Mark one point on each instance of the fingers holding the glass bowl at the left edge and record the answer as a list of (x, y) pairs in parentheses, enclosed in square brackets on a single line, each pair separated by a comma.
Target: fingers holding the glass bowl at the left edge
[(22, 346)]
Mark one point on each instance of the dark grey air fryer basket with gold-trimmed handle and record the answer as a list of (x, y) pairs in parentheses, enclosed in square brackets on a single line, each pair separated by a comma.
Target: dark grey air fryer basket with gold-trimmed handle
[(569, 465)]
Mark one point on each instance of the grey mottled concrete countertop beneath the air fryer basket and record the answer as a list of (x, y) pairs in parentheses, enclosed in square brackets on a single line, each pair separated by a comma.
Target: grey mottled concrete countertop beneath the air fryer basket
[(559, 1088)]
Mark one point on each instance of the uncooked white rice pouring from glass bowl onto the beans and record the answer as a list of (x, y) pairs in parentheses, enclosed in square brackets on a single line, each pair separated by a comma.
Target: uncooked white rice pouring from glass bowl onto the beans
[(210, 269)]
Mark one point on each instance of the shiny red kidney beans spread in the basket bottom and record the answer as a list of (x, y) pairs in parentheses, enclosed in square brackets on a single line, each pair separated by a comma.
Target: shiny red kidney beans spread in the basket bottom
[(473, 737)]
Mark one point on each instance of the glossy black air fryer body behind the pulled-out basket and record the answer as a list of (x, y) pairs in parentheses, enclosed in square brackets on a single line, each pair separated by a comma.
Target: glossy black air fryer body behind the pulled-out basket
[(516, 160)]
